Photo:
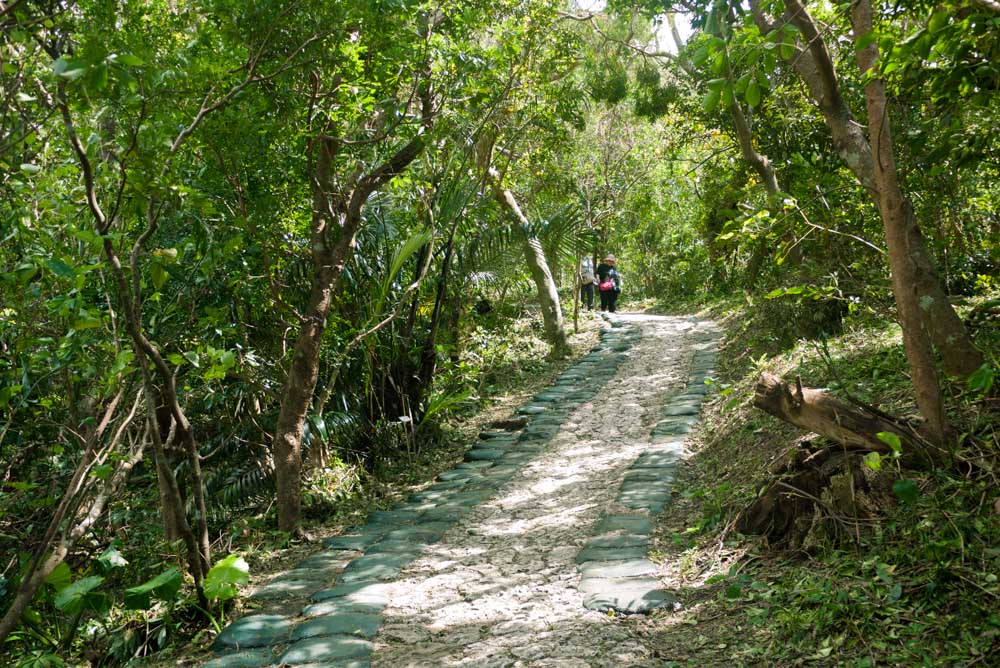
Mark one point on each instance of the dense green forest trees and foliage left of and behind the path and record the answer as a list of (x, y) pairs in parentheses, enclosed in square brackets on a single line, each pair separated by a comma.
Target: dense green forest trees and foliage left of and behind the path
[(254, 254)]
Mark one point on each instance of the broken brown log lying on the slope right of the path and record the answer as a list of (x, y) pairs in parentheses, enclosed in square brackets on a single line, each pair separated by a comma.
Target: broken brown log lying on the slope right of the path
[(853, 427)]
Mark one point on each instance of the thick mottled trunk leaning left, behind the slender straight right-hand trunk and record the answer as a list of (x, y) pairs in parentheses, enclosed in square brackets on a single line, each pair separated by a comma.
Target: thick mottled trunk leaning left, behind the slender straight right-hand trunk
[(815, 67)]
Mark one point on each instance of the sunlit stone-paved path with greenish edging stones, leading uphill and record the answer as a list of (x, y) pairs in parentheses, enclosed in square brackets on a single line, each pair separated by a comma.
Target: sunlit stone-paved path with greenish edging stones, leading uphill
[(515, 556)]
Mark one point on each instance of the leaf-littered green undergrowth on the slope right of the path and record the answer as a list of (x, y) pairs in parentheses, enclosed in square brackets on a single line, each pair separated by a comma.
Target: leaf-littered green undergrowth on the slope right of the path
[(915, 586)]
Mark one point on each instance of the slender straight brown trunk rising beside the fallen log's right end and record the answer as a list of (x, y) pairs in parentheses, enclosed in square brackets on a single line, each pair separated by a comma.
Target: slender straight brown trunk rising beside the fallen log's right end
[(902, 235)]
